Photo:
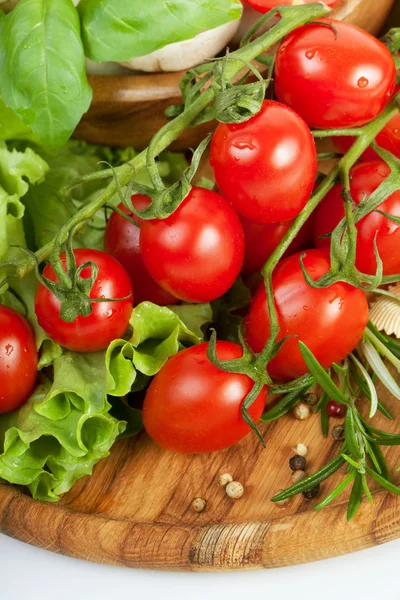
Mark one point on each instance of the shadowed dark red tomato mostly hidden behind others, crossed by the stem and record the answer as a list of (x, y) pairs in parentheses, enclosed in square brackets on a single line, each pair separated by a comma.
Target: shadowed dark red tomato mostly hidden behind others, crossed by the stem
[(262, 239)]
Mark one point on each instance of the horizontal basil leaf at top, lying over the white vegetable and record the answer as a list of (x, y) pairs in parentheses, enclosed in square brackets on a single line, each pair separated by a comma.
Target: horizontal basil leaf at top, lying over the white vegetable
[(118, 30)]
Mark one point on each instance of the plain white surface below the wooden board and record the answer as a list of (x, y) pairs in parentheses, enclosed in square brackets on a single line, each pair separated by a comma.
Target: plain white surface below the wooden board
[(27, 573)]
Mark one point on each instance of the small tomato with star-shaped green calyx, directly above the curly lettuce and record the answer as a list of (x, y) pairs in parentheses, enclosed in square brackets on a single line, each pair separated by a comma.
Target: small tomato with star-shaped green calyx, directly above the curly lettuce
[(108, 320)]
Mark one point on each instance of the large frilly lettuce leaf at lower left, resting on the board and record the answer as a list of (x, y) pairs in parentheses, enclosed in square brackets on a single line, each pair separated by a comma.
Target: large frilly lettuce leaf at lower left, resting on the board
[(58, 435)]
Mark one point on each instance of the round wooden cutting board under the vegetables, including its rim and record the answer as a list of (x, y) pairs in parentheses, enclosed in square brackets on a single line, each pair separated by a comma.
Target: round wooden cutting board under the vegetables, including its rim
[(136, 510)]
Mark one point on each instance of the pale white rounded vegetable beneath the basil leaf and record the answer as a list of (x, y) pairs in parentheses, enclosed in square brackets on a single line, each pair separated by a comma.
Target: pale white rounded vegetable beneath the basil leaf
[(181, 56)]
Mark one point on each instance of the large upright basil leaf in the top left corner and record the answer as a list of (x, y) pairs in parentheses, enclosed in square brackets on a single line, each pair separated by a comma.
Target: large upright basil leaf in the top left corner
[(43, 68)]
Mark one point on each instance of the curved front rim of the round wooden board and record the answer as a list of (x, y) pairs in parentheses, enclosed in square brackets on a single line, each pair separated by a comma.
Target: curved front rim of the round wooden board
[(283, 541)]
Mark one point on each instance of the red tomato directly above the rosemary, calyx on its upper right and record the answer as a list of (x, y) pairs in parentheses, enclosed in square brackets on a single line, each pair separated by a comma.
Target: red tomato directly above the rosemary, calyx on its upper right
[(330, 321)]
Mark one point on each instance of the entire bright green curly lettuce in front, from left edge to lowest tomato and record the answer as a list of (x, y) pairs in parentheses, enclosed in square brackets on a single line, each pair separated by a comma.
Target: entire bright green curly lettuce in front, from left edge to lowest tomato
[(72, 419)]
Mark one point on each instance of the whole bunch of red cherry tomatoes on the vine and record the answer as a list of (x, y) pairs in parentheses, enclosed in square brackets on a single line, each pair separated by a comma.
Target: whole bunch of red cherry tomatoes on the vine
[(327, 75)]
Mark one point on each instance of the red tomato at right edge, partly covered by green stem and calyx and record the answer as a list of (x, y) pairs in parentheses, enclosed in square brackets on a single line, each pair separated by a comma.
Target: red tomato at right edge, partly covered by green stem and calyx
[(364, 179)]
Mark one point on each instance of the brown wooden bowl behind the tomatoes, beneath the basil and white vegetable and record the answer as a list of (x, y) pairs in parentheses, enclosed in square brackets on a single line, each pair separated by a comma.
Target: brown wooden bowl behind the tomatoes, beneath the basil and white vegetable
[(128, 110)]
